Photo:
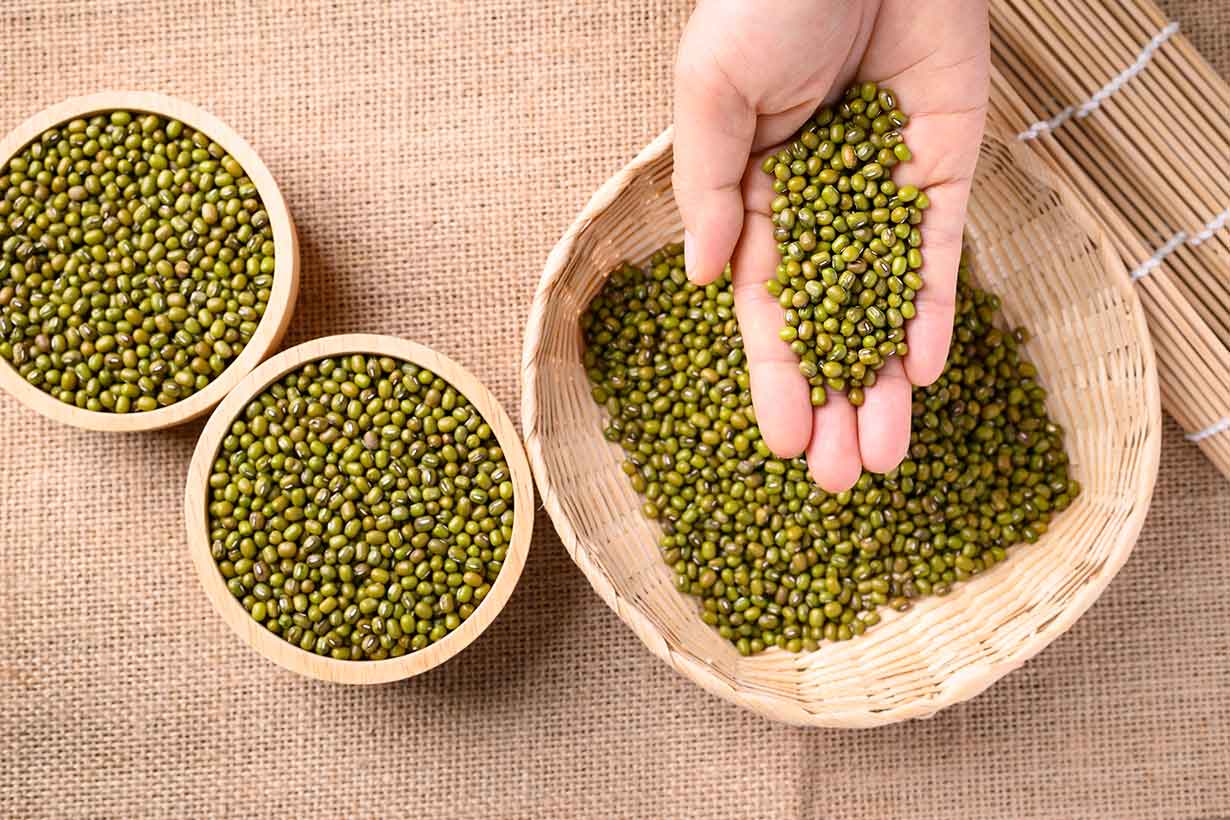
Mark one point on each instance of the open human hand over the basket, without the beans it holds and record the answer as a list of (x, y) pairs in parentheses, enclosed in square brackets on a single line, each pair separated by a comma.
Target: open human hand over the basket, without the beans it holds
[(747, 78)]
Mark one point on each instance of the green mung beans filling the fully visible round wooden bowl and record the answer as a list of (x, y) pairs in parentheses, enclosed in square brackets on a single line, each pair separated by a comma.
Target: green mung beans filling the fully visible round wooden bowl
[(361, 508)]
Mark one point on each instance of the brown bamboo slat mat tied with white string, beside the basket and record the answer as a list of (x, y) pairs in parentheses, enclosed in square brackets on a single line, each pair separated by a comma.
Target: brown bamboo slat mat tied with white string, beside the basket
[(1119, 98)]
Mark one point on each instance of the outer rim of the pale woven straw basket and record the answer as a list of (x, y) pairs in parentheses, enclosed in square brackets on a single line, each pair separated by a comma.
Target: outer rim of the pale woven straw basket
[(961, 687)]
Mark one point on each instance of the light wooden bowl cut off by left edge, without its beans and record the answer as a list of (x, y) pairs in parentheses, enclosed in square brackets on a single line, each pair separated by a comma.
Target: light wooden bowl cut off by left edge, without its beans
[(286, 275)]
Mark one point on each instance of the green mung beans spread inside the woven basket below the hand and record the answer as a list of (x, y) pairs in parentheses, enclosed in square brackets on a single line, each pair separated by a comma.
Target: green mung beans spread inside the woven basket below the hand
[(774, 560)]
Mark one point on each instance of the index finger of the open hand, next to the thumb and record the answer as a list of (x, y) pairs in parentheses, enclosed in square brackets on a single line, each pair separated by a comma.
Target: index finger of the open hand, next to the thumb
[(779, 392)]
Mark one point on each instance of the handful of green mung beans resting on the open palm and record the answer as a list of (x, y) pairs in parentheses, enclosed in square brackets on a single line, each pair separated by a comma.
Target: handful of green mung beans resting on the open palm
[(849, 242)]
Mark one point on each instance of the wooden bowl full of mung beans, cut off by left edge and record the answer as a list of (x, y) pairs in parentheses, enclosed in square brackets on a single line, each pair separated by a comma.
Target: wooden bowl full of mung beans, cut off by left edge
[(148, 261)]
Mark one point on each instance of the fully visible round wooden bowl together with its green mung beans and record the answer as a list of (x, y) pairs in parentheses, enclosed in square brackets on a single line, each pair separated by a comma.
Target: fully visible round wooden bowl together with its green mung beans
[(360, 510)]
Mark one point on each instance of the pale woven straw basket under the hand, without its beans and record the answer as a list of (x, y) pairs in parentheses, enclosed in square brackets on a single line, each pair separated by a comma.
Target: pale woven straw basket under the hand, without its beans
[(1036, 246)]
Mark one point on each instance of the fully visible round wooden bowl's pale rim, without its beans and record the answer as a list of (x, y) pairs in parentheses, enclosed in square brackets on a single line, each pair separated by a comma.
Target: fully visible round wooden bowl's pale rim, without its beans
[(290, 656)]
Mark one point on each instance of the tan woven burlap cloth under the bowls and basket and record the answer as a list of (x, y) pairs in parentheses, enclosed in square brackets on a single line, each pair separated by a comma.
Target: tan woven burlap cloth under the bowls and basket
[(432, 154)]
